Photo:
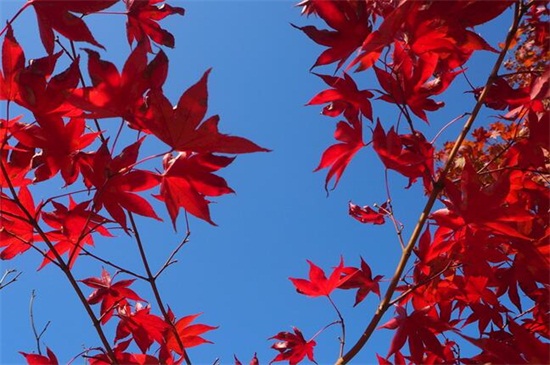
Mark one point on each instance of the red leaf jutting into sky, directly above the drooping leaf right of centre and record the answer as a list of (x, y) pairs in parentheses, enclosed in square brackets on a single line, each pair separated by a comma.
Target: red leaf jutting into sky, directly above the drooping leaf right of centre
[(343, 97)]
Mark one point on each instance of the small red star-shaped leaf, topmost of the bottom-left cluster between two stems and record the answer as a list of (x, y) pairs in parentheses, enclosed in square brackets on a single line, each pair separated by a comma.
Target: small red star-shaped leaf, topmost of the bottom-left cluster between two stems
[(111, 295)]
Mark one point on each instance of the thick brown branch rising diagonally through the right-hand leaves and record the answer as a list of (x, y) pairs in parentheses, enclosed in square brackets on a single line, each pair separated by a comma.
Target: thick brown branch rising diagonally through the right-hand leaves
[(437, 189)]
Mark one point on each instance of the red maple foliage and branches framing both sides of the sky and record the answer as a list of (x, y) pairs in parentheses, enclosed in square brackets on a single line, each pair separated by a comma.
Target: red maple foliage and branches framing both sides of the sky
[(475, 267)]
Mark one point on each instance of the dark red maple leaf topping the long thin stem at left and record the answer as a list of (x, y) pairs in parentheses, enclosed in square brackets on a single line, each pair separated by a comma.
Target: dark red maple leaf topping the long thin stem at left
[(116, 181)]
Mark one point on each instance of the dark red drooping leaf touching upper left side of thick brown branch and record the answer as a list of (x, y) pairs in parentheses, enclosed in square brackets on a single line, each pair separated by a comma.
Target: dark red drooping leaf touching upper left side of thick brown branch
[(410, 155)]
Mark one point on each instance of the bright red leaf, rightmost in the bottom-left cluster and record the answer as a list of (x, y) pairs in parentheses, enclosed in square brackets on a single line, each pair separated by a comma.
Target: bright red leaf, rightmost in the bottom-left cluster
[(189, 334)]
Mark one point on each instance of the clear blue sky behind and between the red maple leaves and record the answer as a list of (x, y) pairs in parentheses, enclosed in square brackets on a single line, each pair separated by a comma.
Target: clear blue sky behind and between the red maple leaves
[(236, 274)]
